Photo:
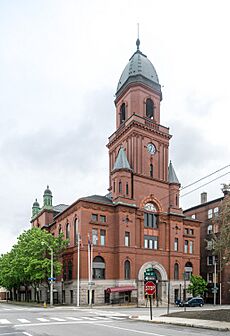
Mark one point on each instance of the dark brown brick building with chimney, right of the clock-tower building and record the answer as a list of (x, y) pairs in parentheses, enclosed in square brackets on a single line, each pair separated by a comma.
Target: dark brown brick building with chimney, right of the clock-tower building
[(212, 266)]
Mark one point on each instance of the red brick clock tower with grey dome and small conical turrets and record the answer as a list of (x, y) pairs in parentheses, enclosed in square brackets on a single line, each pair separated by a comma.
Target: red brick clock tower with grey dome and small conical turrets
[(138, 149)]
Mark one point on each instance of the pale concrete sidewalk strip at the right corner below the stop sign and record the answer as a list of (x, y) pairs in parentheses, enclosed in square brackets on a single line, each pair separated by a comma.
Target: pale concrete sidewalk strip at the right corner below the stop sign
[(205, 324)]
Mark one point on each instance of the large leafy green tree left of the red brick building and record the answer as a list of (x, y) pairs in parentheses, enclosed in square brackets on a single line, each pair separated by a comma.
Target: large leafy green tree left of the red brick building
[(28, 263)]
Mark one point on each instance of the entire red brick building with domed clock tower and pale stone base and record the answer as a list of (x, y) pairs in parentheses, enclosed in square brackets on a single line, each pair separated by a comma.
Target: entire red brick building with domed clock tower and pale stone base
[(139, 224)]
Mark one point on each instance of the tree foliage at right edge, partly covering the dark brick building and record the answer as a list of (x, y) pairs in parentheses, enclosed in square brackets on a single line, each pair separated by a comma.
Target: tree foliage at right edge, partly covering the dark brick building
[(221, 239)]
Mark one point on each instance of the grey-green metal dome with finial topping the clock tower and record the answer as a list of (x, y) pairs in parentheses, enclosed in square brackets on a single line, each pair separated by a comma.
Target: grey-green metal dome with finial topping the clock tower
[(139, 70)]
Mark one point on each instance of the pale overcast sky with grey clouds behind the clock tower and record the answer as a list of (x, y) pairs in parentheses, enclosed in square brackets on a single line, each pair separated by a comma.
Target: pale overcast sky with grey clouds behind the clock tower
[(60, 62)]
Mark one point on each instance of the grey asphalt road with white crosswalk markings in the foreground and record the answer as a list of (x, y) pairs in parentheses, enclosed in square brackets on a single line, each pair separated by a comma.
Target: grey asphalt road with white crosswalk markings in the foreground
[(69, 321)]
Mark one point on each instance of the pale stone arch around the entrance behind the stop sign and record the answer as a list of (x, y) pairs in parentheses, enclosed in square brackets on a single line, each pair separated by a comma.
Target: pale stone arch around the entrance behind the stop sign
[(161, 279)]
